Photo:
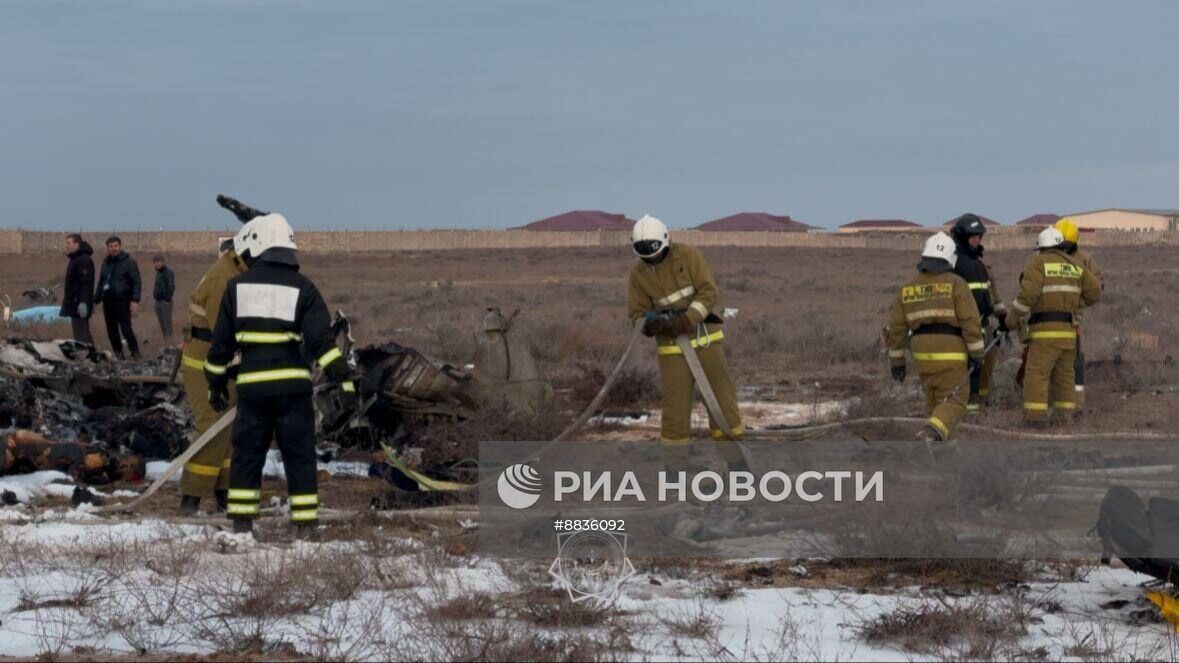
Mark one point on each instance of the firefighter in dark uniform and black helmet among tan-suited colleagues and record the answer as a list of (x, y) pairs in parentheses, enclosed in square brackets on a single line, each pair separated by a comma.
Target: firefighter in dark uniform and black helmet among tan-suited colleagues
[(967, 234)]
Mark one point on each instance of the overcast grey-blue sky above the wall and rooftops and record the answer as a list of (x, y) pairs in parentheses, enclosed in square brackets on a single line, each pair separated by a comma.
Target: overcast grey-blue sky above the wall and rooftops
[(469, 114)]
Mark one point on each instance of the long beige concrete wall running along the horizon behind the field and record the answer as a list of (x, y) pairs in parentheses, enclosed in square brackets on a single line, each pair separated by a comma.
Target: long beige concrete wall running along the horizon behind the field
[(17, 242)]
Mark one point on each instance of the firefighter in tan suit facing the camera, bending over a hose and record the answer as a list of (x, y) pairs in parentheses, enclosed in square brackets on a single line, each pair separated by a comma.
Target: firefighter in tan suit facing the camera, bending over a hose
[(675, 286)]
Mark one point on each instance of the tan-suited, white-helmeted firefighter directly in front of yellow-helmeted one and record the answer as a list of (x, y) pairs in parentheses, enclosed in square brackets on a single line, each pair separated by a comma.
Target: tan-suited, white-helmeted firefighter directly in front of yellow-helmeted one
[(1053, 286)]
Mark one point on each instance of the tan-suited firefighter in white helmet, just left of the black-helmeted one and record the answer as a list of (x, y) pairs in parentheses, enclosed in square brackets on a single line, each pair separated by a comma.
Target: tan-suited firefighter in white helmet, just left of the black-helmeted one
[(937, 316)]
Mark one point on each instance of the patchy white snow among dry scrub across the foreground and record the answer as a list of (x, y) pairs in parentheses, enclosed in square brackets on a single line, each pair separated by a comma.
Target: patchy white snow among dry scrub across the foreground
[(754, 623)]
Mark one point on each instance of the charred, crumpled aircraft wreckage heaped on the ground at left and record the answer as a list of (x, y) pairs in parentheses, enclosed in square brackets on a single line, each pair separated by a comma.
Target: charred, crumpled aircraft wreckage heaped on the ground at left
[(69, 408)]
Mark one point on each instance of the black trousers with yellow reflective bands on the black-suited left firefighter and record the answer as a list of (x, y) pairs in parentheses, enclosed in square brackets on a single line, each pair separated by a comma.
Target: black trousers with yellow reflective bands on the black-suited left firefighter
[(292, 422)]
